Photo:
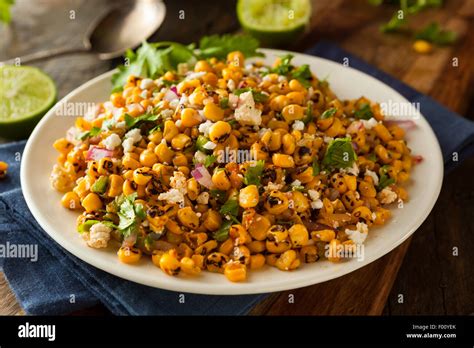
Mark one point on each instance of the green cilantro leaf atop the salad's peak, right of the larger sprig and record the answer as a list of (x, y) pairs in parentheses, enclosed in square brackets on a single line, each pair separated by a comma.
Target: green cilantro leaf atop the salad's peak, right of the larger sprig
[(220, 46)]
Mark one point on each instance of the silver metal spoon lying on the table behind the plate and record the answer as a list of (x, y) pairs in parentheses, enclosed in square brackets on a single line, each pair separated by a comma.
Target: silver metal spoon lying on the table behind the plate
[(111, 35)]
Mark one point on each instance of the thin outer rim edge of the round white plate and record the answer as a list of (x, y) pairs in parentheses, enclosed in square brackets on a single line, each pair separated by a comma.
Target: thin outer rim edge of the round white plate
[(216, 289)]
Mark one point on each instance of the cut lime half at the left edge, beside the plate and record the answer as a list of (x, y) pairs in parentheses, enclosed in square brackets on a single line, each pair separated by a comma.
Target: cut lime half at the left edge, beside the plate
[(26, 93)]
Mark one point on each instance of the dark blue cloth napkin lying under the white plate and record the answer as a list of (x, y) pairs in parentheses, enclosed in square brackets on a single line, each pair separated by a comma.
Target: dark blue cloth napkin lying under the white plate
[(60, 283)]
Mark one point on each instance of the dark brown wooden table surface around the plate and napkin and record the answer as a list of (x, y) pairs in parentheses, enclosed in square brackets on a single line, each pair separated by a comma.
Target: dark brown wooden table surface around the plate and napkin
[(431, 280)]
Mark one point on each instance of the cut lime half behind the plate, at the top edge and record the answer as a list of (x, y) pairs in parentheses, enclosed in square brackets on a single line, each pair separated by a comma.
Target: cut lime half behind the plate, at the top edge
[(274, 22)]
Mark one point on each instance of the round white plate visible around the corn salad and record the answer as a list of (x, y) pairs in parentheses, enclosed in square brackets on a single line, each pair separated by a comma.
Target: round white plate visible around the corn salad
[(44, 203)]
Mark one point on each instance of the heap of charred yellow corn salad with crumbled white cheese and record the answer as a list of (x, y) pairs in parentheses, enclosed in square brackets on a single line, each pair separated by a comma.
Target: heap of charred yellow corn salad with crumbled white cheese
[(226, 167)]
